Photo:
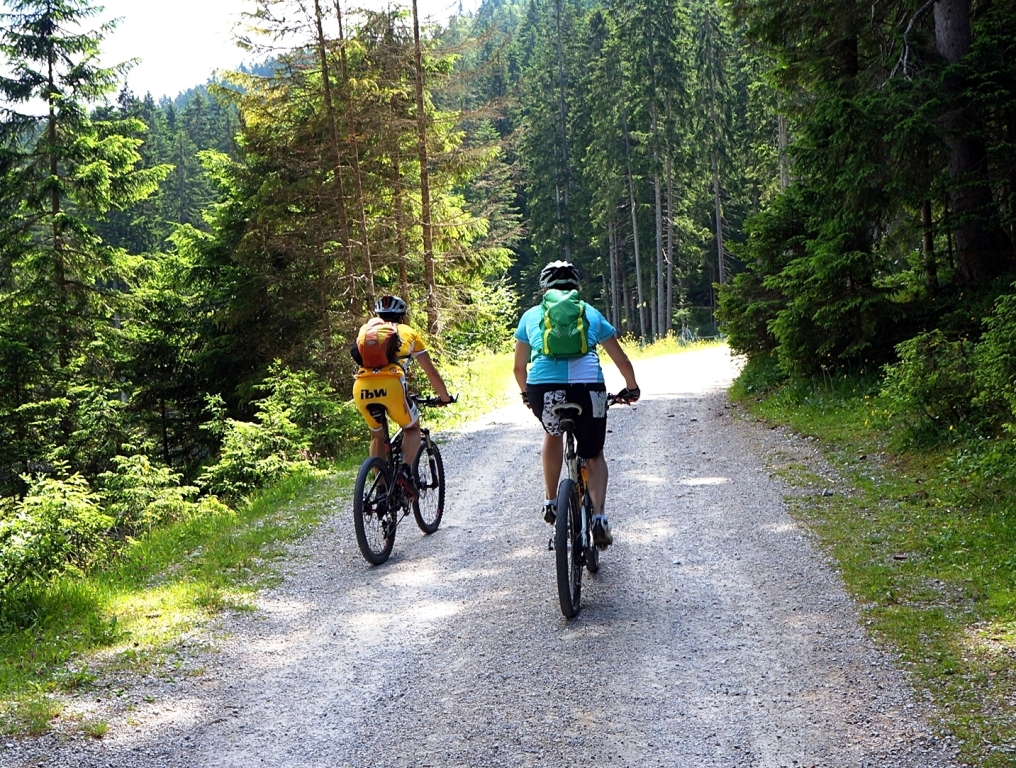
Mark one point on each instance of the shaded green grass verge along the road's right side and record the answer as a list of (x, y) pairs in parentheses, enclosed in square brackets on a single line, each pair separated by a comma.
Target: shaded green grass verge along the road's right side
[(927, 545)]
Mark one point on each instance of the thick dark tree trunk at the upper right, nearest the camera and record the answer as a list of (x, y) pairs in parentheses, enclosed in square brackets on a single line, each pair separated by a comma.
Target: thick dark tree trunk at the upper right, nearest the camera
[(982, 248)]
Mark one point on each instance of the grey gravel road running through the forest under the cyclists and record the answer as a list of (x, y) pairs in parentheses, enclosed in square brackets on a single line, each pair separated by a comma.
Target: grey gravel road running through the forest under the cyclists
[(714, 635)]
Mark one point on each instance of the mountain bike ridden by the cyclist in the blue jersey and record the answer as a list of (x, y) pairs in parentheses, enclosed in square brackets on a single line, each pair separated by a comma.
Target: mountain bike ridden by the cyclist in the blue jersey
[(574, 546)]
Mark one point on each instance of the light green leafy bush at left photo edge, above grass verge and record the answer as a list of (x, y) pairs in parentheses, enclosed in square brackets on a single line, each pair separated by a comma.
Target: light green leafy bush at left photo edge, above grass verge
[(56, 527)]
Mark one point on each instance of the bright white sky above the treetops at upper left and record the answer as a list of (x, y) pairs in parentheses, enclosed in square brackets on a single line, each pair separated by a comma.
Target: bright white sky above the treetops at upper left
[(182, 42)]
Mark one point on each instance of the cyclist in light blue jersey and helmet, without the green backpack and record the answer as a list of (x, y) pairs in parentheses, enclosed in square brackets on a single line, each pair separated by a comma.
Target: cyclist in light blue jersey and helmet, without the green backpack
[(546, 381)]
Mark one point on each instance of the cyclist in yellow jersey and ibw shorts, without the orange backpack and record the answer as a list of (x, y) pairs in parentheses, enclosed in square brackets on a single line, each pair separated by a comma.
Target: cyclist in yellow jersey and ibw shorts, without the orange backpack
[(387, 387)]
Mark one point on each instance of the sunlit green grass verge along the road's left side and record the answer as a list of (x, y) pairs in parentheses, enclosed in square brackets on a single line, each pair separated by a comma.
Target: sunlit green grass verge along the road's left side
[(65, 637)]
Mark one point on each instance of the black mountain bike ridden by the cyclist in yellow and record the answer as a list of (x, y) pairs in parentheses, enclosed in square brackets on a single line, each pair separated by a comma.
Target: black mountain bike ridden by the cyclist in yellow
[(379, 504)]
